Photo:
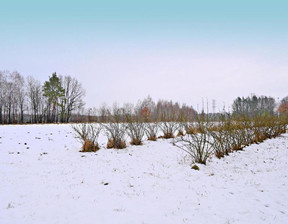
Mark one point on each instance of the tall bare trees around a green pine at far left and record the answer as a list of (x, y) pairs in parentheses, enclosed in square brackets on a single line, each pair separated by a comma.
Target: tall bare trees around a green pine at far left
[(27, 100)]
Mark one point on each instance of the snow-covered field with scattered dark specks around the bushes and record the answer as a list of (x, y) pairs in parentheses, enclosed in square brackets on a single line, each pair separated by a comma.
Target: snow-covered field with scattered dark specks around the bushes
[(45, 179)]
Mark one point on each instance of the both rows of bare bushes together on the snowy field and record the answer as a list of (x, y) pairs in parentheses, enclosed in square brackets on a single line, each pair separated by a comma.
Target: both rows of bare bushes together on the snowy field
[(200, 139)]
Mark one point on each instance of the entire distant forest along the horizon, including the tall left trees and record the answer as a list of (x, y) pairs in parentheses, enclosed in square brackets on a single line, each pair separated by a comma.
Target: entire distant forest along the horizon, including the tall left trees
[(60, 99)]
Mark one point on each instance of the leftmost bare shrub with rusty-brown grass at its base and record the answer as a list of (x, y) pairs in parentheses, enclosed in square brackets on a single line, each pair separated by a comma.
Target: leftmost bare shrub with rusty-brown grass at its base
[(88, 135)]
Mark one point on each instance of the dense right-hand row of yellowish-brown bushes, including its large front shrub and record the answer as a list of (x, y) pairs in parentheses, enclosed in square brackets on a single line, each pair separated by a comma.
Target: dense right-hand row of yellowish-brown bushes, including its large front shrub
[(204, 138)]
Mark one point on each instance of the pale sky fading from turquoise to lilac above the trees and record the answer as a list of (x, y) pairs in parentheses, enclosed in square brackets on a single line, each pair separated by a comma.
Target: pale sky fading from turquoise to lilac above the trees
[(181, 50)]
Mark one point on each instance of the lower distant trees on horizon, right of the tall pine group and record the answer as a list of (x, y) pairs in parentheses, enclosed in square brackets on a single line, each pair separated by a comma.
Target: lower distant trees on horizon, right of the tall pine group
[(164, 110)]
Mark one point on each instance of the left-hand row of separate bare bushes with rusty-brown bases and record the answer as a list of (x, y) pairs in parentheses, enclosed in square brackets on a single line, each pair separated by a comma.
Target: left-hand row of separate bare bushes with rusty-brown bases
[(117, 132)]
